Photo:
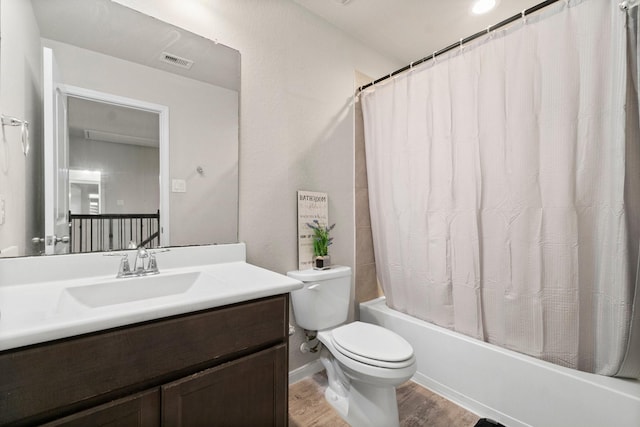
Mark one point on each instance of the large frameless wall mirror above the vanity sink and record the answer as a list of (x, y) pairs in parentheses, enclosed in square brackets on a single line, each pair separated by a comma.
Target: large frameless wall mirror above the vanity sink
[(133, 131)]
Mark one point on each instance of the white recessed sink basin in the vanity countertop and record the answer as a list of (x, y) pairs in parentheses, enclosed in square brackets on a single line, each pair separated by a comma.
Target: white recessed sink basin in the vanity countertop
[(120, 291)]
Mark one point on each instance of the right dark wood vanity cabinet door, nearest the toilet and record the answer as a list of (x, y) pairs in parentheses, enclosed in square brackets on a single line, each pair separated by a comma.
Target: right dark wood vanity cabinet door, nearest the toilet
[(250, 391)]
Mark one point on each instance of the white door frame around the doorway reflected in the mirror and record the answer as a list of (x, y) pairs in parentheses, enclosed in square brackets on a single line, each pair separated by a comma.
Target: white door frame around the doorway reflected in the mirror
[(163, 113)]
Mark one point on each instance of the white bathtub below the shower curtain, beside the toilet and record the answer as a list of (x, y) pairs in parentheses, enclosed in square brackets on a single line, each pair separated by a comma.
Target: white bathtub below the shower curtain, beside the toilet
[(509, 387)]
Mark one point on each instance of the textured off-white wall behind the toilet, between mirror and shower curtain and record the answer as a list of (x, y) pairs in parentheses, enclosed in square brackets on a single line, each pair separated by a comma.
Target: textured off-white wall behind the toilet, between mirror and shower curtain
[(296, 121)]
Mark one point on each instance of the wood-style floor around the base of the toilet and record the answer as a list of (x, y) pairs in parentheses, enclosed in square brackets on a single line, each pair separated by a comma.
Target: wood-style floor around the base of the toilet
[(416, 406)]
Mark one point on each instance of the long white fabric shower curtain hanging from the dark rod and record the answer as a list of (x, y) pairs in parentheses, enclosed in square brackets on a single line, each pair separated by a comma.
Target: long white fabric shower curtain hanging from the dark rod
[(498, 185)]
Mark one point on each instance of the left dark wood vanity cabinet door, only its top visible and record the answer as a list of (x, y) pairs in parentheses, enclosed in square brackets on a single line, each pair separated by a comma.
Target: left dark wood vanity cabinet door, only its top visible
[(138, 410)]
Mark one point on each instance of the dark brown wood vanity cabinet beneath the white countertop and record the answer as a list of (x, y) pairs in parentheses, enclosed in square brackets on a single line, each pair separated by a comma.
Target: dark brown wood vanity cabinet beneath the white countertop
[(225, 366)]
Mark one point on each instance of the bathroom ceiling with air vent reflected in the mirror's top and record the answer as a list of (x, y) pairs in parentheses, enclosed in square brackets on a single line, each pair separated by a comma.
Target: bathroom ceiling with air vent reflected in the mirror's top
[(112, 29)]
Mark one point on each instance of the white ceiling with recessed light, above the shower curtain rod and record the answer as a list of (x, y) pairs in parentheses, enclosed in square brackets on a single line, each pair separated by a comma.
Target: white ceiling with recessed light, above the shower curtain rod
[(409, 30)]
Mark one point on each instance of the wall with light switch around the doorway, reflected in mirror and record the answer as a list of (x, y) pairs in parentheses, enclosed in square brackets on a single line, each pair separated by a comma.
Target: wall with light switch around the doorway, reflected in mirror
[(203, 131)]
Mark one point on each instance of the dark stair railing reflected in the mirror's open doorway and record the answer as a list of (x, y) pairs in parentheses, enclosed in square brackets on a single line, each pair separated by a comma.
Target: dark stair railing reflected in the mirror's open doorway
[(109, 232)]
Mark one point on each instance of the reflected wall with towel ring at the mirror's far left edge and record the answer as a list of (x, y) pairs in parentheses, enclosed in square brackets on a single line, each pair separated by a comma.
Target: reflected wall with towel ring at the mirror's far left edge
[(21, 97)]
